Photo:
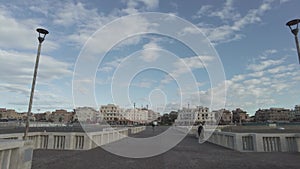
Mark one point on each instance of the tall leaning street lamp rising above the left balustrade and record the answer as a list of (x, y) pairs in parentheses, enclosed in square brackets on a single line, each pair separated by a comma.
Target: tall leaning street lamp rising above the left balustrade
[(41, 38)]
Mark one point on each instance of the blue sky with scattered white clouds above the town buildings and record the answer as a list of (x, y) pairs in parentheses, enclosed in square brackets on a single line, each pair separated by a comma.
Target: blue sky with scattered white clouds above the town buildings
[(238, 54)]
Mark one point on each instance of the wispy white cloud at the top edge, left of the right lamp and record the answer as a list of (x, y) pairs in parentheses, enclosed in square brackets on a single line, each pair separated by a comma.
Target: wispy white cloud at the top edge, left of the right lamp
[(231, 22)]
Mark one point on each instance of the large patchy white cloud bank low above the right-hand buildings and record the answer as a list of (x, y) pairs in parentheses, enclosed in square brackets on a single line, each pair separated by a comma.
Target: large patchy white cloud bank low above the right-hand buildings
[(265, 86)]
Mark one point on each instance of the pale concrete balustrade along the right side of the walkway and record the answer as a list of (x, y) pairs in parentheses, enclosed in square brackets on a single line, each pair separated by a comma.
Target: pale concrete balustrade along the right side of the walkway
[(256, 142)]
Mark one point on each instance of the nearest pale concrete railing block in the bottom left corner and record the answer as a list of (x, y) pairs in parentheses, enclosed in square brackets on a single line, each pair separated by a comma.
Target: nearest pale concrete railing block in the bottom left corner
[(15, 154)]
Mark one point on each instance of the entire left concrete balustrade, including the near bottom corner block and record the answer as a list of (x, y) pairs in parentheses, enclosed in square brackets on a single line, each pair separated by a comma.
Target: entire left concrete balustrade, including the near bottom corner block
[(16, 153)]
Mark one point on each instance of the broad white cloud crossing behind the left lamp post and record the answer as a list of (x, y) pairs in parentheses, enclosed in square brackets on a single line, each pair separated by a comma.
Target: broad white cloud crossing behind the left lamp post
[(17, 68)]
